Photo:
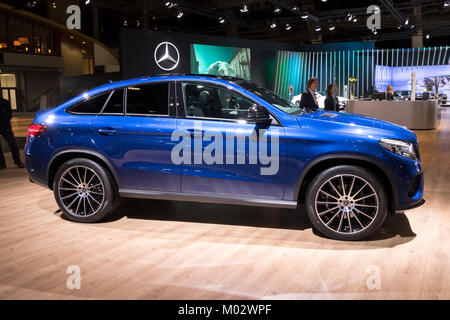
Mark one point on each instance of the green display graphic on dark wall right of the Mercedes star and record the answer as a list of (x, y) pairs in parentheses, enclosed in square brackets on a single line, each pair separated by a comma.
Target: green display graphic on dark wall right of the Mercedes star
[(220, 60)]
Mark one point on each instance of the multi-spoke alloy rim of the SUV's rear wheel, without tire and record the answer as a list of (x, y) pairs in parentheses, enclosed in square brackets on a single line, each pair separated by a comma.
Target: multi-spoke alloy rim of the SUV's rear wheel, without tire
[(81, 191)]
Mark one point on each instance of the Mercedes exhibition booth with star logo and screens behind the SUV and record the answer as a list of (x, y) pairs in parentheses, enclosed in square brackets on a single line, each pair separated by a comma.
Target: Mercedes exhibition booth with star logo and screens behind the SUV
[(360, 72)]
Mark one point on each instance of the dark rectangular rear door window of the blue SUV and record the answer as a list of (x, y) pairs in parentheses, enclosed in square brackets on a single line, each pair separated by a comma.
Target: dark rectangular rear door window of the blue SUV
[(149, 99)]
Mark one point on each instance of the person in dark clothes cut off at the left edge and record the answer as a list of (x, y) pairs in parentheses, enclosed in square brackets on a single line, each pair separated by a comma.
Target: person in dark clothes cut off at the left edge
[(6, 132)]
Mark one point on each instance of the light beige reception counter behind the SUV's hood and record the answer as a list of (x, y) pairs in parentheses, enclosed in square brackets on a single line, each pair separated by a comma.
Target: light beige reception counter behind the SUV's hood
[(420, 114)]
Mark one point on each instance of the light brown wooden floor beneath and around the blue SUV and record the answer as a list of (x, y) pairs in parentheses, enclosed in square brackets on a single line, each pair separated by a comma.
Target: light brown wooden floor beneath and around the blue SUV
[(173, 250)]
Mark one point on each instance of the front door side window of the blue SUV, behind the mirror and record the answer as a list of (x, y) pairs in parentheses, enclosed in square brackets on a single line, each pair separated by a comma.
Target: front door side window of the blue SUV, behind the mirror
[(209, 101)]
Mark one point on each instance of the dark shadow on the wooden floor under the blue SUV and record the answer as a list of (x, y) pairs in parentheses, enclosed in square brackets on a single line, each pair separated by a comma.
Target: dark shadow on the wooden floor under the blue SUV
[(396, 226)]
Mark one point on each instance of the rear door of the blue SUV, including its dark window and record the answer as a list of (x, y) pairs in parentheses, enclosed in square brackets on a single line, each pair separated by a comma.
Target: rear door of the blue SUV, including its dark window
[(134, 132)]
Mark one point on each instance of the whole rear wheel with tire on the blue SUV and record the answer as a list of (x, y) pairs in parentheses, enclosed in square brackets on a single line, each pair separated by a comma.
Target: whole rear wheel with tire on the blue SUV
[(84, 190)]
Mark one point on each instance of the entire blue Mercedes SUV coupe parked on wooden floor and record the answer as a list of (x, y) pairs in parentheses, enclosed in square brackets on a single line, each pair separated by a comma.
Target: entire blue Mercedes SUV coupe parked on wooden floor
[(222, 140)]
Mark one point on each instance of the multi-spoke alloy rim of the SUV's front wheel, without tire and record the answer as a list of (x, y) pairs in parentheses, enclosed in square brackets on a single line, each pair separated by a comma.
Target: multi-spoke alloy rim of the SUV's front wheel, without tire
[(346, 204)]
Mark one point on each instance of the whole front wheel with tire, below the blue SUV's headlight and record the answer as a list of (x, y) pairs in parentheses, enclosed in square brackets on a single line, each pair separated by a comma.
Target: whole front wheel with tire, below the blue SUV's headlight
[(352, 218)]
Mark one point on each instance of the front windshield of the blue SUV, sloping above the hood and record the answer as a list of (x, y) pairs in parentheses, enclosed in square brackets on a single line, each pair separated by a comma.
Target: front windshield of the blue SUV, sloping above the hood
[(274, 99)]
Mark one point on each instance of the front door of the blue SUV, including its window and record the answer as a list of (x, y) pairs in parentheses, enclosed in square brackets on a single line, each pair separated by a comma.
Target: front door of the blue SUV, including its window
[(235, 166)]
